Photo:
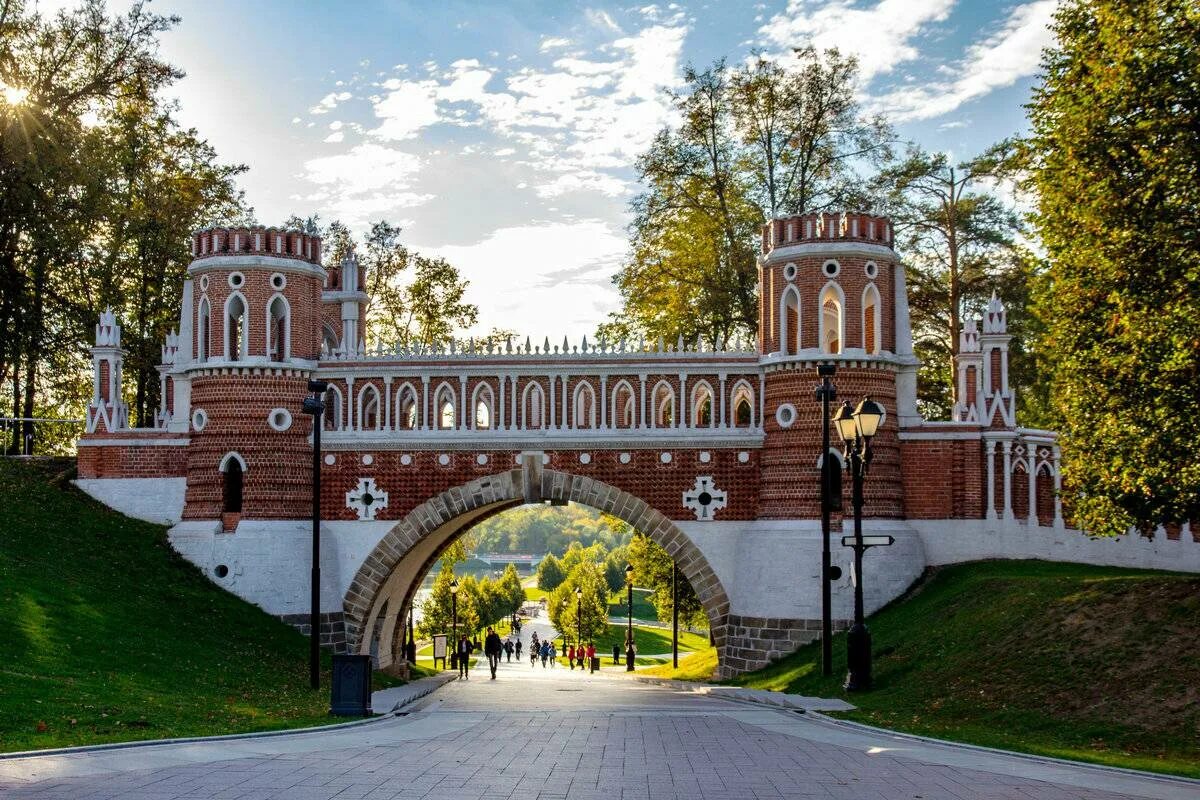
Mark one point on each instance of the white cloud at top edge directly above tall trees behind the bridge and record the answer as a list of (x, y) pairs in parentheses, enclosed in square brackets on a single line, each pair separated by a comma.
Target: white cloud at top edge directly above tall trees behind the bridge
[(880, 35)]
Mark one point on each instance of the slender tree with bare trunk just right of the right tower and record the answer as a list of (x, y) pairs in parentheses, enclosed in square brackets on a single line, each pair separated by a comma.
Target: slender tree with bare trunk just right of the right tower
[(957, 242)]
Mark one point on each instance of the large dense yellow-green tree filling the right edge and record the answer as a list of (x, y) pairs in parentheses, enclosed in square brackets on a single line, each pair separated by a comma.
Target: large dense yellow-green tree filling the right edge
[(1115, 164)]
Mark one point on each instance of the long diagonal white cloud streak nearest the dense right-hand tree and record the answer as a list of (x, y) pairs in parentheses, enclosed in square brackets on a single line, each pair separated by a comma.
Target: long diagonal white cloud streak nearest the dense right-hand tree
[(994, 63)]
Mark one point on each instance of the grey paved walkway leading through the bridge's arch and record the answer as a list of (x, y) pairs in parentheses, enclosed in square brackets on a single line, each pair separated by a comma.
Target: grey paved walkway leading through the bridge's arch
[(559, 735)]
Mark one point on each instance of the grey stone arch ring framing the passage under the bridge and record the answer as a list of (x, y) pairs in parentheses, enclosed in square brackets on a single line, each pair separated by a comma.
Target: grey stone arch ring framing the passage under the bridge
[(392, 572)]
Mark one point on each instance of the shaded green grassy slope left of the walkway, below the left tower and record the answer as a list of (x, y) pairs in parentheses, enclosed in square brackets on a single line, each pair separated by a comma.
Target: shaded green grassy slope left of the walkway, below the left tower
[(110, 636)]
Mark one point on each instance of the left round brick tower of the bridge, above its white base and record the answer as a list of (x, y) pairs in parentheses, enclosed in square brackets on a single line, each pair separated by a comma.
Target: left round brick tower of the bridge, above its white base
[(255, 340)]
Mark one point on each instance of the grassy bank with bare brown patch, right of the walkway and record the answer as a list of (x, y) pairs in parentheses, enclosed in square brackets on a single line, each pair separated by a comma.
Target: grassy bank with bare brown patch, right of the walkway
[(1072, 661)]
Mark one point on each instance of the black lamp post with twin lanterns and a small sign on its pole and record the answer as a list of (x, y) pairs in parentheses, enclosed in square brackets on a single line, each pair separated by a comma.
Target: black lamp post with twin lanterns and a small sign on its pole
[(857, 429)]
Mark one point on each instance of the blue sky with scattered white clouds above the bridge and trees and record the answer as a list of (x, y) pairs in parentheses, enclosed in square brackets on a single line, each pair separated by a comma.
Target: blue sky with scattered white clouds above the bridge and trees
[(502, 135)]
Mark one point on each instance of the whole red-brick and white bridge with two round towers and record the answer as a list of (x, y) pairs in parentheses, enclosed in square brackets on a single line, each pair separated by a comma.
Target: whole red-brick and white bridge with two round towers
[(712, 453)]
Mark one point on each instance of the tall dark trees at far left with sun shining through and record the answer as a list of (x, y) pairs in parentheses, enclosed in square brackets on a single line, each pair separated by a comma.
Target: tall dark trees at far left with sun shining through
[(101, 187)]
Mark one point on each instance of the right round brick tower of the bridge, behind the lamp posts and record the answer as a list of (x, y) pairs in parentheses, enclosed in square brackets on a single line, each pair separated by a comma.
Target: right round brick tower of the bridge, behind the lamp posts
[(832, 291)]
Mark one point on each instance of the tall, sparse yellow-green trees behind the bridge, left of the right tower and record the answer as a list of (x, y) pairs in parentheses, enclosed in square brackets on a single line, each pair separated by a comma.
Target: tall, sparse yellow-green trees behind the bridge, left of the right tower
[(753, 142)]
